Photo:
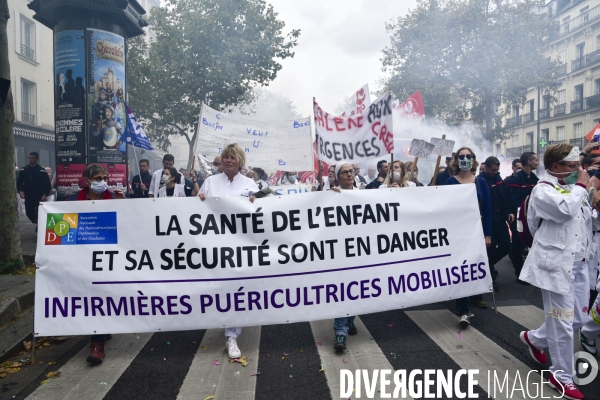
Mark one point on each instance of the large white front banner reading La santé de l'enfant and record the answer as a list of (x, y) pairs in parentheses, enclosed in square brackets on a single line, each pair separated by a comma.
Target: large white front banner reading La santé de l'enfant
[(228, 262)]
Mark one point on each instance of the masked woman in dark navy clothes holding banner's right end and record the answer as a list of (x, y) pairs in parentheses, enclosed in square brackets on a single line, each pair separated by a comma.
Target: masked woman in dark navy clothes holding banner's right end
[(464, 166)]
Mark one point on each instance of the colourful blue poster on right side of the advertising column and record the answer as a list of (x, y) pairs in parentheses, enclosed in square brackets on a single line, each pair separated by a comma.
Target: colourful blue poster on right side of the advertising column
[(105, 100)]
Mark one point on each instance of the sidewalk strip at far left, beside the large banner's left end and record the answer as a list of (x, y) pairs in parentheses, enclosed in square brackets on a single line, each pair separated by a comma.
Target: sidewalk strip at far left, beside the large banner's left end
[(17, 297)]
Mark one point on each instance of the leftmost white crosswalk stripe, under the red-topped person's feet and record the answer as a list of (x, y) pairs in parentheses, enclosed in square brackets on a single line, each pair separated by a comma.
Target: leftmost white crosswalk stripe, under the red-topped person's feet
[(79, 380)]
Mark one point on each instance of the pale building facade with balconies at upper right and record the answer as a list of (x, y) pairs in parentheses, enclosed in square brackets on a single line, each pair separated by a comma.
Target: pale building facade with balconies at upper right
[(576, 109)]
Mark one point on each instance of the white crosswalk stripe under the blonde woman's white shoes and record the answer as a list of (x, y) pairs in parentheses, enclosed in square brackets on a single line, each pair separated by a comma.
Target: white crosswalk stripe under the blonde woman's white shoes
[(227, 380)]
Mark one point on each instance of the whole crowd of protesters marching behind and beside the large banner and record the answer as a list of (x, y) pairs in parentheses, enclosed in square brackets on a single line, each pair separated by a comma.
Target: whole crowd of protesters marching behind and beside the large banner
[(547, 226)]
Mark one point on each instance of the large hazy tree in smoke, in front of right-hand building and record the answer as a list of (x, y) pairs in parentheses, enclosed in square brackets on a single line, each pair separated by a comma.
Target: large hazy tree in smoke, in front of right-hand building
[(470, 56)]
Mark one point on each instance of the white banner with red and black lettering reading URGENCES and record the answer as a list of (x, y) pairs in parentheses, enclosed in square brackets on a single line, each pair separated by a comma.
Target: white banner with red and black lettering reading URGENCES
[(359, 138)]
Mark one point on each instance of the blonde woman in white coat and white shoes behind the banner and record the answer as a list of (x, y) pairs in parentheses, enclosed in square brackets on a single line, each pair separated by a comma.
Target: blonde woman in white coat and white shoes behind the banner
[(230, 183)]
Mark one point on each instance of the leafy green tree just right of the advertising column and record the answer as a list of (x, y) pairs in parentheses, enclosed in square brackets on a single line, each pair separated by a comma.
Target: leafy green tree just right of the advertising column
[(213, 51)]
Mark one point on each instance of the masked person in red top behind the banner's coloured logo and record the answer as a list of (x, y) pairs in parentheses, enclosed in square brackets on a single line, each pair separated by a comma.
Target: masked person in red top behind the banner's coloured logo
[(96, 179)]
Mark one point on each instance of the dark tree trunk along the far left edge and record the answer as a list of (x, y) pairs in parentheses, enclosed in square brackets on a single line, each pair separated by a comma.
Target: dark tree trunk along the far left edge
[(10, 241)]
